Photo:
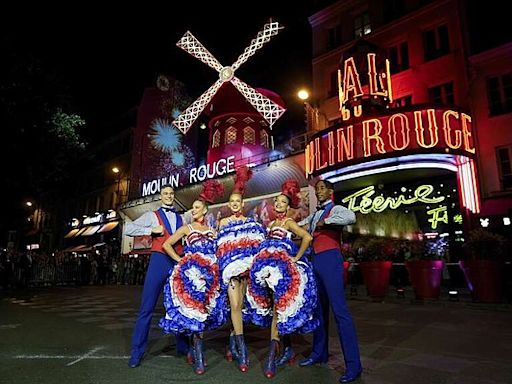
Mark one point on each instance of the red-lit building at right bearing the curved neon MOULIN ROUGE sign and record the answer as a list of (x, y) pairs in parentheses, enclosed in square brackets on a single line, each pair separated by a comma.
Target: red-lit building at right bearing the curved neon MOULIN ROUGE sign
[(403, 126)]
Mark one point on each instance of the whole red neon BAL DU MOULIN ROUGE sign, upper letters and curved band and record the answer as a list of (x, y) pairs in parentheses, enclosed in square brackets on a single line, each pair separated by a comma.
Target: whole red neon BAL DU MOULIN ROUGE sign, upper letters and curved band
[(356, 139)]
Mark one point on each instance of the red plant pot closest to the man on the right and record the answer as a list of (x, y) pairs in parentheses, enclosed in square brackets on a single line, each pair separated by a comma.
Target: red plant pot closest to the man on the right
[(376, 265)]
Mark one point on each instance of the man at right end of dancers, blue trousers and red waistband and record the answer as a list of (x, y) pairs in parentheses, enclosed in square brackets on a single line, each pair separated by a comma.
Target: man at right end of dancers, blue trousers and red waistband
[(324, 225)]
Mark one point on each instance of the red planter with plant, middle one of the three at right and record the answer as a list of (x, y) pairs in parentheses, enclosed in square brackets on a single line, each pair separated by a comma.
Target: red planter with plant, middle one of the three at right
[(425, 267)]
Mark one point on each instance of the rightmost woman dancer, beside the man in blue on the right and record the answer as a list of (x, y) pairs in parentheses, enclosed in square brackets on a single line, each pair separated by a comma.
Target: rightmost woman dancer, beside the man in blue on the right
[(282, 291)]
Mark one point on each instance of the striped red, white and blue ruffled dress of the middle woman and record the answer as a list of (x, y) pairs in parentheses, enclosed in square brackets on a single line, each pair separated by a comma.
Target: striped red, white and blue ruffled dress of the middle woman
[(237, 243)]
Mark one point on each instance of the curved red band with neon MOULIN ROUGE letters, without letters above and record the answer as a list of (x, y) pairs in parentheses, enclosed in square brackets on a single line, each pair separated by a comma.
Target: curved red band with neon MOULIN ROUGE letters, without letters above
[(436, 130)]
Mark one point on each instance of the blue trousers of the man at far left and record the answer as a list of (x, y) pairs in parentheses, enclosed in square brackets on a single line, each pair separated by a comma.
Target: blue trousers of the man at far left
[(158, 272)]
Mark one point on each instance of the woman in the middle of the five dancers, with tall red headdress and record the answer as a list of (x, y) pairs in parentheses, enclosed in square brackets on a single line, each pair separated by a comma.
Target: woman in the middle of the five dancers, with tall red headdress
[(237, 242)]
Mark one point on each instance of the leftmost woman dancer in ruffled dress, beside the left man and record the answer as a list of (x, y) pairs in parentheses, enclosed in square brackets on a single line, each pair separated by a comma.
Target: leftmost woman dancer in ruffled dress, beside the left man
[(192, 297)]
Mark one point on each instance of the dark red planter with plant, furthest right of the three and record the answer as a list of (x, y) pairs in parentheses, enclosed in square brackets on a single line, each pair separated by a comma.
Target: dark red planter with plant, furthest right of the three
[(483, 266)]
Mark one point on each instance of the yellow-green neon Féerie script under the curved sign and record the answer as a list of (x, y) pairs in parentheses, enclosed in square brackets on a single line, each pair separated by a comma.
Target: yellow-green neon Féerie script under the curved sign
[(364, 202)]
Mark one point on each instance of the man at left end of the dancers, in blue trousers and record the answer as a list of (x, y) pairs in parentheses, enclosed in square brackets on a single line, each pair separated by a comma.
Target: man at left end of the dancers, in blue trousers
[(160, 224)]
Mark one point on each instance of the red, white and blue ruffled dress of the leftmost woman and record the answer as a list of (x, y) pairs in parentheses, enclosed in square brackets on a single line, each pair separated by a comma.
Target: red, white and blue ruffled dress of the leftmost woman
[(192, 297)]
